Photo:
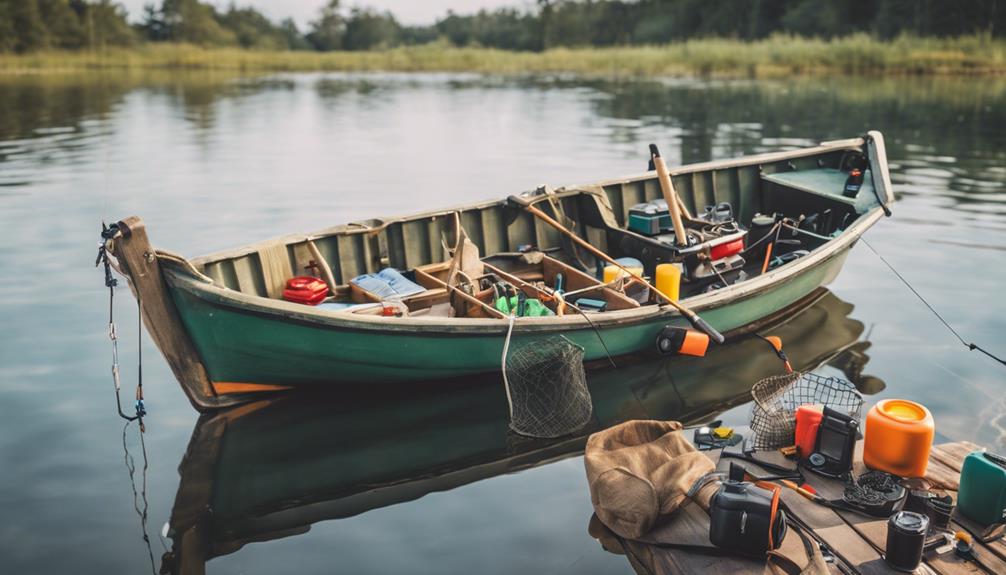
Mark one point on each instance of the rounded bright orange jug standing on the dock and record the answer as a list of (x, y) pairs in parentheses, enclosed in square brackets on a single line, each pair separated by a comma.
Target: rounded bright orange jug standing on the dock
[(899, 438)]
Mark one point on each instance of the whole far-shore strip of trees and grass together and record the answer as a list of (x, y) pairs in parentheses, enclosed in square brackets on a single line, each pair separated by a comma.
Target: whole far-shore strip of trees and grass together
[(611, 39)]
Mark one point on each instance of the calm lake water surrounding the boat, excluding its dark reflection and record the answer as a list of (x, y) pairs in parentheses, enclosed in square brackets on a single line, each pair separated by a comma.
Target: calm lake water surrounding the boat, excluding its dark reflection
[(213, 162)]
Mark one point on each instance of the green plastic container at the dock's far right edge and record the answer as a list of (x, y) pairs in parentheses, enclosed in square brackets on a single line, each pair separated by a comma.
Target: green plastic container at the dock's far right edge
[(983, 489)]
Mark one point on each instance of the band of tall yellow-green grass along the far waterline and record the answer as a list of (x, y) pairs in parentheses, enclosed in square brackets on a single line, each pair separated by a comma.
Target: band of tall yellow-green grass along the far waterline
[(778, 56)]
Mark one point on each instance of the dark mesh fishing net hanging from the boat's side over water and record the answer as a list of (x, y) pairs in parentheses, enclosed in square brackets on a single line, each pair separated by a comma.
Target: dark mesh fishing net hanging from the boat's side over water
[(547, 388)]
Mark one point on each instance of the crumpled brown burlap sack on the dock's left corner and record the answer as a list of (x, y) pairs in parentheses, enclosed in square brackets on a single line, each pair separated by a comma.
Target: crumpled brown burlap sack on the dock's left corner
[(639, 472)]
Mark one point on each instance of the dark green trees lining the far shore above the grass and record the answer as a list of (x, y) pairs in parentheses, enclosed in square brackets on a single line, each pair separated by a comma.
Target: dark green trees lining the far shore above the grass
[(29, 26)]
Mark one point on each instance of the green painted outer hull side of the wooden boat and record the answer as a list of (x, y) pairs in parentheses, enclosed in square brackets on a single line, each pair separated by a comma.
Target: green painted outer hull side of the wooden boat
[(241, 346)]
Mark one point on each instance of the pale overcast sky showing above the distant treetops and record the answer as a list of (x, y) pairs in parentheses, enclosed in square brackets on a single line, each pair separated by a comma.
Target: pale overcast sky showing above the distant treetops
[(303, 12)]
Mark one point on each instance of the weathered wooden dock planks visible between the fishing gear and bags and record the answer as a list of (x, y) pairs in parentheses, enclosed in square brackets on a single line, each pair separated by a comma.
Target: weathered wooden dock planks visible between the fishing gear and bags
[(857, 541)]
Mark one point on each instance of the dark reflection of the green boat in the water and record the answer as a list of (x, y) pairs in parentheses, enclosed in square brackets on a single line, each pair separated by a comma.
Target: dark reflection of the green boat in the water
[(271, 470)]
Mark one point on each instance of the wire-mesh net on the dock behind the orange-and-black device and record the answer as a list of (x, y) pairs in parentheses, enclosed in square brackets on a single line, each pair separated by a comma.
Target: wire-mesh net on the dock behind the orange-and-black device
[(774, 422)]
